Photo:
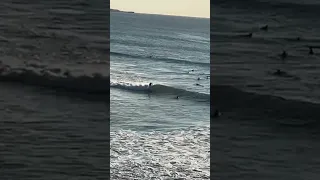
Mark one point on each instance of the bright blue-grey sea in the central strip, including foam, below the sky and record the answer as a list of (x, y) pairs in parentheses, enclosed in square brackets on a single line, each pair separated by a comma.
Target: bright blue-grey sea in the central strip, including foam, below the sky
[(154, 135)]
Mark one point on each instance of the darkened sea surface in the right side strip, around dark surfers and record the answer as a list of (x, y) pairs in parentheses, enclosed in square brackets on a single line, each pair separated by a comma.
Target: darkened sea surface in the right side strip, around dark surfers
[(269, 128)]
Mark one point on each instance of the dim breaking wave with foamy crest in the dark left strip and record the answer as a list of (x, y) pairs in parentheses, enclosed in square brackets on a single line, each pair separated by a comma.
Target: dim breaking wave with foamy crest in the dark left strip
[(41, 75)]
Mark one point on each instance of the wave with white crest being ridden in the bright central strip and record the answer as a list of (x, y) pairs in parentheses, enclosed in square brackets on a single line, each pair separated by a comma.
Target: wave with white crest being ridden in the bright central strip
[(159, 89)]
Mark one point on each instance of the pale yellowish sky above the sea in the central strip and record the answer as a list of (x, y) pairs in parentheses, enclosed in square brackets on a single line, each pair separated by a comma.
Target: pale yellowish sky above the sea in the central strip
[(192, 8)]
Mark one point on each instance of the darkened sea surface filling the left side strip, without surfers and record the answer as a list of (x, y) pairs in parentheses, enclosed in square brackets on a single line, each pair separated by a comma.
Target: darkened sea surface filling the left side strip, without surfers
[(53, 63)]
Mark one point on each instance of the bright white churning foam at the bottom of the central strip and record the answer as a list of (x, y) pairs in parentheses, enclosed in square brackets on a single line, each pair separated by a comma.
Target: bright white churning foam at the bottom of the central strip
[(181, 154)]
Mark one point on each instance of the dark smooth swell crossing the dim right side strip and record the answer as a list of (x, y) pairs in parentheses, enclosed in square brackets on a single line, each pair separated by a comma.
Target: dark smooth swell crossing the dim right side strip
[(250, 105)]
